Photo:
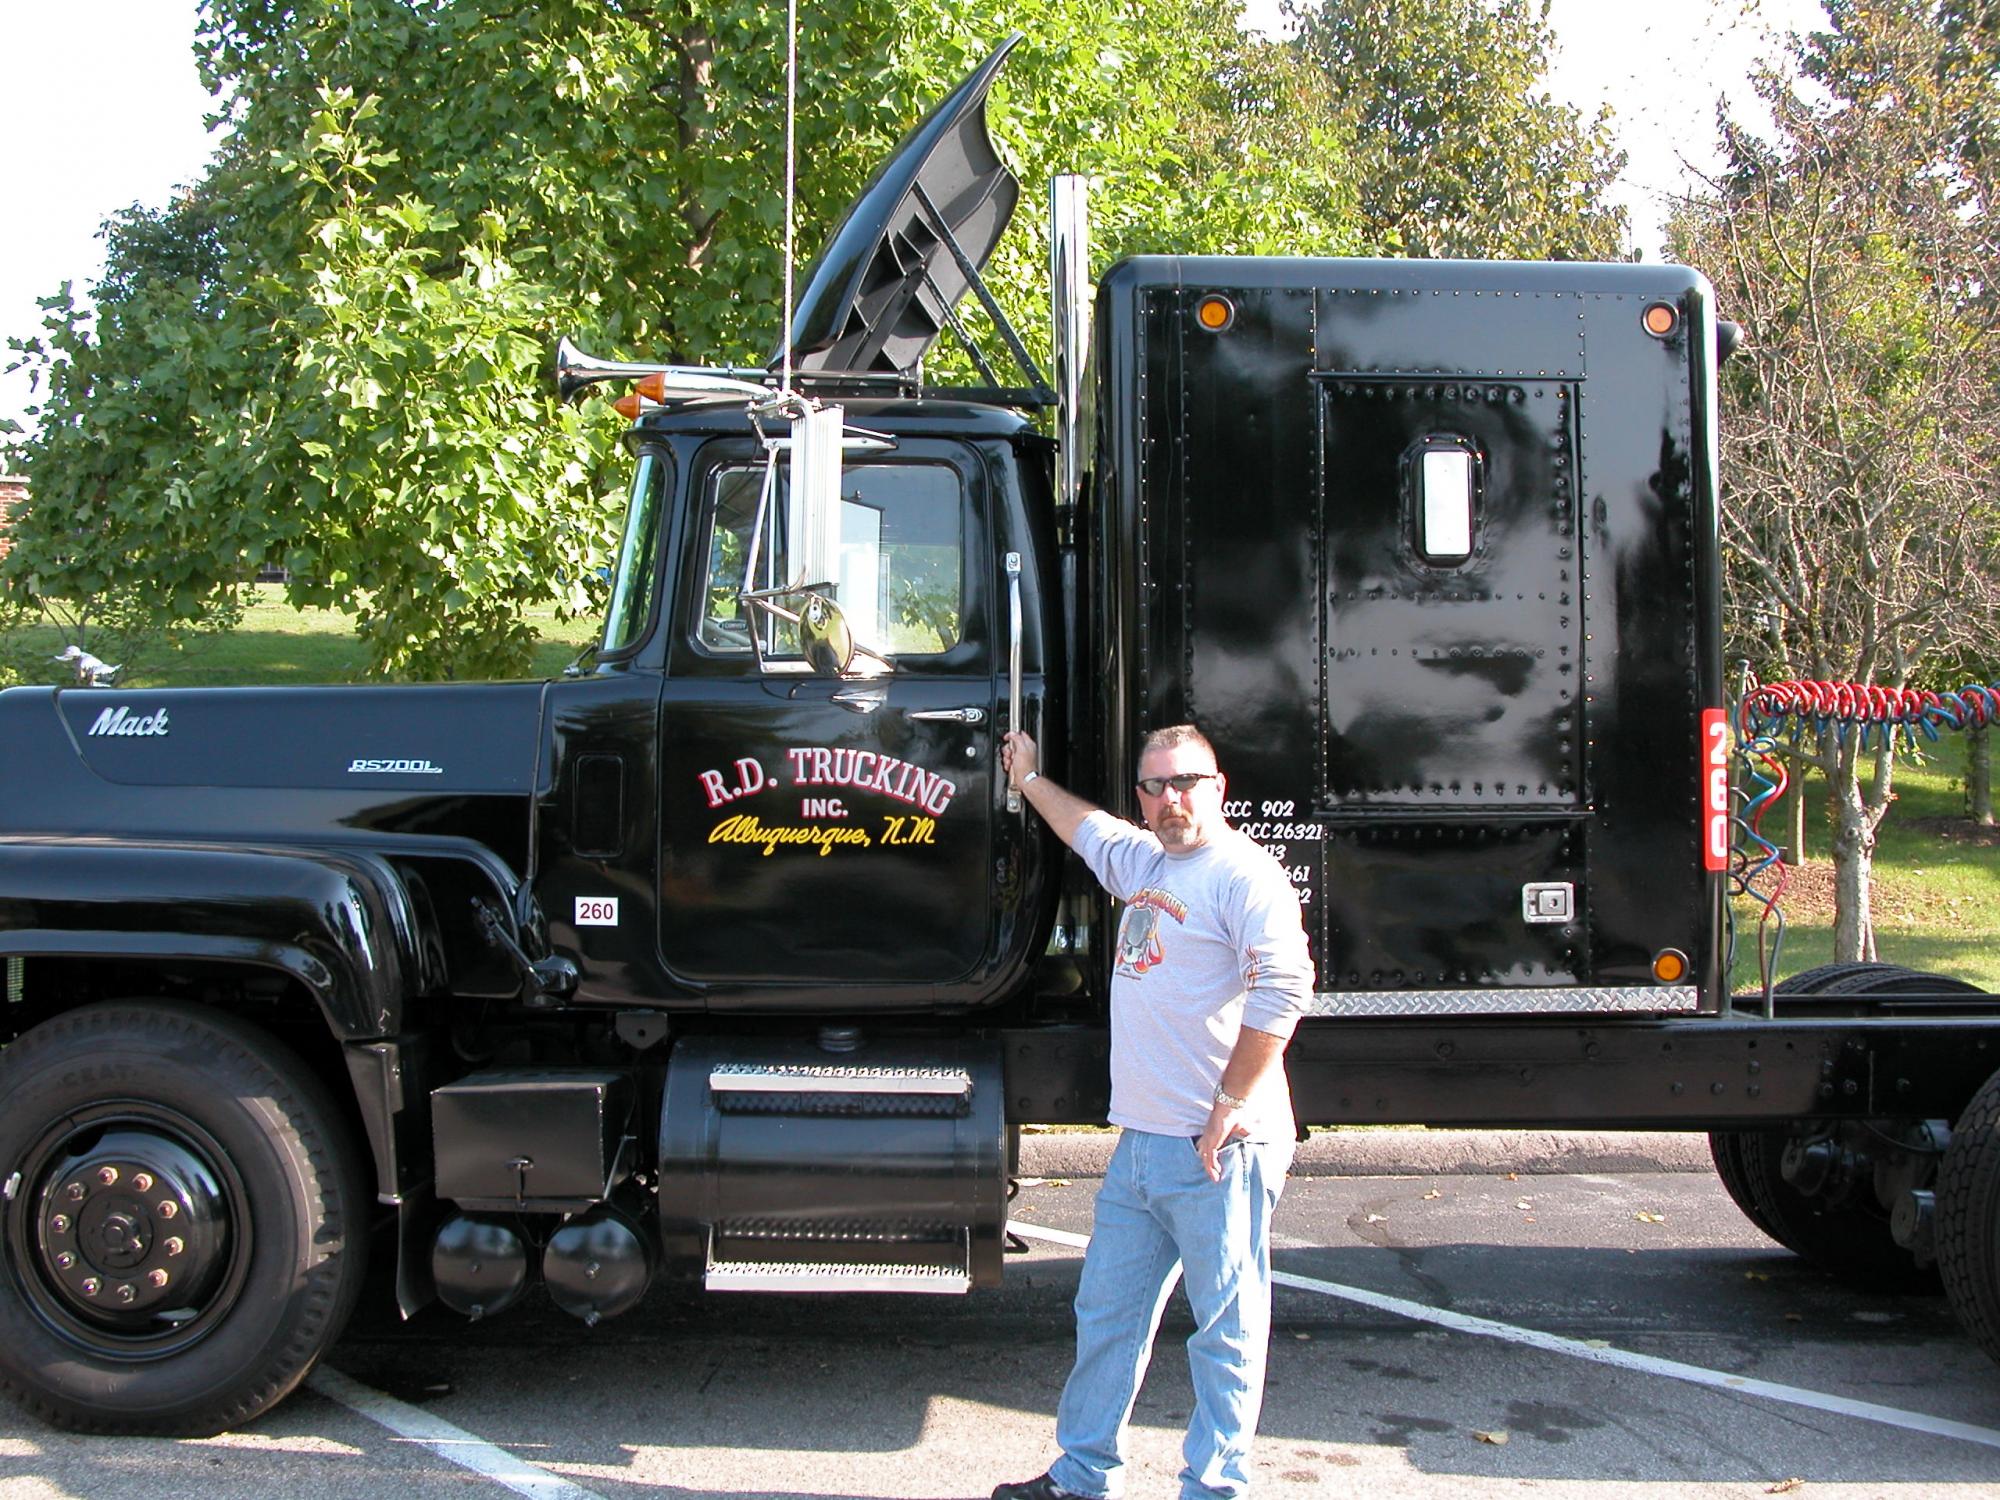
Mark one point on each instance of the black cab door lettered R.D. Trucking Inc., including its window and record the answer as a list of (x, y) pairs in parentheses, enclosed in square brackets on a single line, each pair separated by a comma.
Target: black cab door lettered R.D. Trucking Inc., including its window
[(835, 831)]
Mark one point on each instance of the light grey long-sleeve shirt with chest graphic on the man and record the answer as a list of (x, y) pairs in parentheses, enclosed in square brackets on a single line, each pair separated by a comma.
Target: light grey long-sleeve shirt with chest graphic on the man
[(1209, 941)]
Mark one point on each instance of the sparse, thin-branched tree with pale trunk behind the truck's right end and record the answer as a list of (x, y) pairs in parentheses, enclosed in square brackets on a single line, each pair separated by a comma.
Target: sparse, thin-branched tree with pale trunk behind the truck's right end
[(1861, 417)]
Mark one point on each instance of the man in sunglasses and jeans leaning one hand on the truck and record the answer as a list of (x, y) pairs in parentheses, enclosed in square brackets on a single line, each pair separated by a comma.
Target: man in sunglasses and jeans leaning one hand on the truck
[(1211, 977)]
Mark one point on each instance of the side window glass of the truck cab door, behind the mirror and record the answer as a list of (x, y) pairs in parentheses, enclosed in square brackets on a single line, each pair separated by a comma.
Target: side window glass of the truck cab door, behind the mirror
[(901, 565)]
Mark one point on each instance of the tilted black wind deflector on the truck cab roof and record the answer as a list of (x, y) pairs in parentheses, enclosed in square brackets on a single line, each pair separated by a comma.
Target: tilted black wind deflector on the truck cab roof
[(885, 285)]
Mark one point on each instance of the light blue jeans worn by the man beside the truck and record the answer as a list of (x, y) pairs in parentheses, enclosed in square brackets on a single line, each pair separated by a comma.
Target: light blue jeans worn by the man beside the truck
[(1157, 1217)]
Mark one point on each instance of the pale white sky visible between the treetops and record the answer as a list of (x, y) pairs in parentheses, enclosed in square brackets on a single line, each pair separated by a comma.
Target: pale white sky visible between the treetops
[(103, 111)]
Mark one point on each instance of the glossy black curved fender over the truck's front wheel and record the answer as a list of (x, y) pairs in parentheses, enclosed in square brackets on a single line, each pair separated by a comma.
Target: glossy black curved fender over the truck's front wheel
[(339, 921)]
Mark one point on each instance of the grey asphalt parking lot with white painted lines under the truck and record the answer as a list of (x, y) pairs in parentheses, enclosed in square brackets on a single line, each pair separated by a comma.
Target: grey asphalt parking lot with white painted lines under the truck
[(1447, 1333)]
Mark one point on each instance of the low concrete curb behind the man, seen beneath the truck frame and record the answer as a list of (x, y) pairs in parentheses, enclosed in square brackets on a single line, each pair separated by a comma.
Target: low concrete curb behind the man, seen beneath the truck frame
[(1417, 1153)]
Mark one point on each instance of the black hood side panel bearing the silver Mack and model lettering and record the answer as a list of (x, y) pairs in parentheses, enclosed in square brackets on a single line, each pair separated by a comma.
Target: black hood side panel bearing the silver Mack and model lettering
[(421, 739)]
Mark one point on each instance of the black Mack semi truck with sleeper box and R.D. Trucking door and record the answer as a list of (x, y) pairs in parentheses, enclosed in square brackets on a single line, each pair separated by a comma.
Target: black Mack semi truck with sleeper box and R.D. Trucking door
[(729, 961)]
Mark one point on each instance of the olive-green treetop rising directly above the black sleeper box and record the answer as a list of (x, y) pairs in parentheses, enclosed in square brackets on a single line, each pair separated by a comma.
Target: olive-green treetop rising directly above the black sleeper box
[(1459, 147)]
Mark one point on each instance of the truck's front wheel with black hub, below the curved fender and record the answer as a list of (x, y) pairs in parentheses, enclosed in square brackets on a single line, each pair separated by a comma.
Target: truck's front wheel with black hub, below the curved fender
[(187, 1221)]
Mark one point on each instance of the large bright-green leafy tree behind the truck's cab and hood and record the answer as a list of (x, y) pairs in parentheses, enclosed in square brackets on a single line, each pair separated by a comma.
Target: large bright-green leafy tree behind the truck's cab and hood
[(327, 353)]
